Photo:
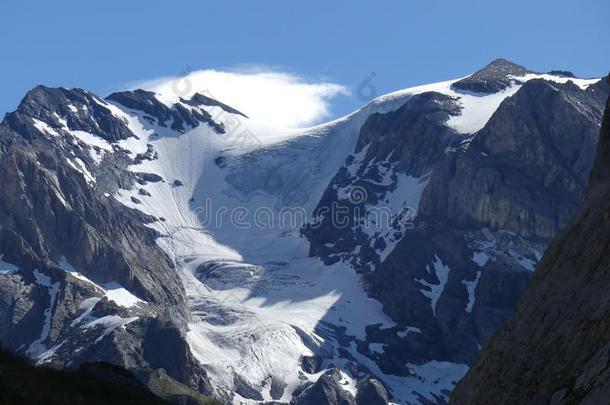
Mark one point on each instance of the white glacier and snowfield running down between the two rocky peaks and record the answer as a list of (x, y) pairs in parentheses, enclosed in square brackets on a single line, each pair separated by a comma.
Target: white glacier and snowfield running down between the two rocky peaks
[(259, 303)]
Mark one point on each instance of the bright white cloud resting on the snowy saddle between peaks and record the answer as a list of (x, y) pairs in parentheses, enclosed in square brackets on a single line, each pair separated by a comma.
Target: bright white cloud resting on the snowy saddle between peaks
[(274, 98)]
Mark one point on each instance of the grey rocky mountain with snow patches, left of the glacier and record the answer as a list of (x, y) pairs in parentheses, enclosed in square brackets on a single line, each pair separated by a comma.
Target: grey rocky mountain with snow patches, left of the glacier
[(54, 223)]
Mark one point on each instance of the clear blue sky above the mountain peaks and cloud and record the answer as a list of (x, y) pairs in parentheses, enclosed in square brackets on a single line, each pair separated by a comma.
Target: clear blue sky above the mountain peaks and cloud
[(108, 45)]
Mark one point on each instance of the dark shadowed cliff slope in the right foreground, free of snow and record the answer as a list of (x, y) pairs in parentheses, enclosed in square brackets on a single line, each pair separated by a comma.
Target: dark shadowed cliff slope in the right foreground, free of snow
[(556, 348)]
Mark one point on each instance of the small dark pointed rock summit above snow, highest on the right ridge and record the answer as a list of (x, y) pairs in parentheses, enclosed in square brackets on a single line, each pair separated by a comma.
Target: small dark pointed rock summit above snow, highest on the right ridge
[(492, 78)]
